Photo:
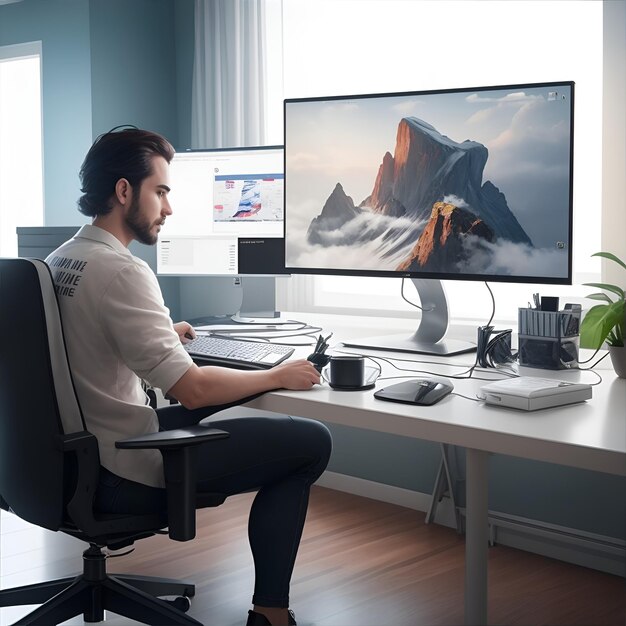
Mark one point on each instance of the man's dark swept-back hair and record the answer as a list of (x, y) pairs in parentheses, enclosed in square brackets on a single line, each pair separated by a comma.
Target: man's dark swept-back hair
[(123, 152)]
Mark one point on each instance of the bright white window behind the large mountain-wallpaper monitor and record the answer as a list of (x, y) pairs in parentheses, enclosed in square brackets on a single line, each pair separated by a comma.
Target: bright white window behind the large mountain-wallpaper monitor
[(333, 47)]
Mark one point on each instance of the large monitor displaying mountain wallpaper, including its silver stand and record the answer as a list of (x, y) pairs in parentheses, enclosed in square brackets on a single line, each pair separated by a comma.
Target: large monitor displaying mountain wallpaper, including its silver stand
[(460, 184)]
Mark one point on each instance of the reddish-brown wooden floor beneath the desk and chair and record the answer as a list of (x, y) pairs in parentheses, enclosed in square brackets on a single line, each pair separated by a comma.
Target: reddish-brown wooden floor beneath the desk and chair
[(361, 563)]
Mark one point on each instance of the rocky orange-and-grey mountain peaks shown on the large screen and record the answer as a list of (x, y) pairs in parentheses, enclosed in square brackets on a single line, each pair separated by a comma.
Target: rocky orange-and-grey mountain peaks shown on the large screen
[(432, 192)]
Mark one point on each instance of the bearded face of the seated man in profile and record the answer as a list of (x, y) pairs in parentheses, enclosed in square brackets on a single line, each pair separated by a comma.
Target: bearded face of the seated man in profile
[(149, 205)]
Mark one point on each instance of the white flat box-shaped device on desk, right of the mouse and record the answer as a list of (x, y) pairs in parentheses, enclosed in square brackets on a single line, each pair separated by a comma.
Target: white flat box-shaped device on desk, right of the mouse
[(529, 393)]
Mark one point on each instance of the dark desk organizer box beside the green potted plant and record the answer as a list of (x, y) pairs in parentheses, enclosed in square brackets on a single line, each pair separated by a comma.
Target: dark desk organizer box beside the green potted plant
[(548, 339)]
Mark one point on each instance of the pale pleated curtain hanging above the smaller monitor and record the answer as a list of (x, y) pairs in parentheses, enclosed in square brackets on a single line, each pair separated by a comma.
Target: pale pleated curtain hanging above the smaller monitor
[(229, 74)]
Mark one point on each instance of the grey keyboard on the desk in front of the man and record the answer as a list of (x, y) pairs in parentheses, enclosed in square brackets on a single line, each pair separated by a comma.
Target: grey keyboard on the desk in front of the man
[(238, 353)]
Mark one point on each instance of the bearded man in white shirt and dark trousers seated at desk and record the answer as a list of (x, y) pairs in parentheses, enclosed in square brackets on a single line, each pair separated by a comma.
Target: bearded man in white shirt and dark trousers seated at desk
[(118, 332)]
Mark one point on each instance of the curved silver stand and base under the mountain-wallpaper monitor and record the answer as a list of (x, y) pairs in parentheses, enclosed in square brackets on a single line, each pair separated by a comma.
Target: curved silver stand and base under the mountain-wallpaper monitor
[(429, 336)]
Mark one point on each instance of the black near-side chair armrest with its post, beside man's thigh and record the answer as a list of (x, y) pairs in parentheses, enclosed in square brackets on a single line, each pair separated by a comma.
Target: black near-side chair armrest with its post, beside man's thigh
[(179, 449)]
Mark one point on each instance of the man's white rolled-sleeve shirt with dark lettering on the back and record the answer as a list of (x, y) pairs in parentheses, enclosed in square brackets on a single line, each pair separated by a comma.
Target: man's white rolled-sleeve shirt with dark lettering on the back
[(118, 331)]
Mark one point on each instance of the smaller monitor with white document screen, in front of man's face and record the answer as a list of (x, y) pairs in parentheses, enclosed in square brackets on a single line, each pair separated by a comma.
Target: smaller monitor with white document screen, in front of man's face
[(227, 219)]
